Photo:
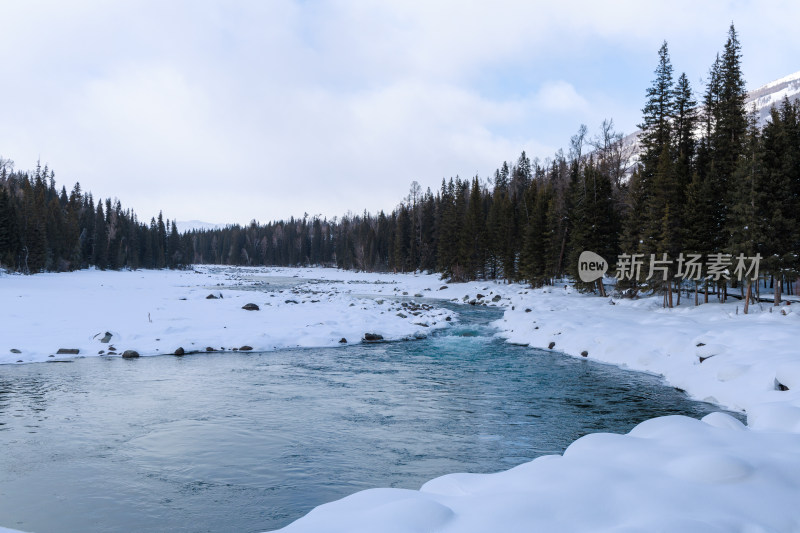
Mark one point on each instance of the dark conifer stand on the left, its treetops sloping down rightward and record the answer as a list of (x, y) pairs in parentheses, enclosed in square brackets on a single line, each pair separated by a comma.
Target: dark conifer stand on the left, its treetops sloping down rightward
[(46, 229)]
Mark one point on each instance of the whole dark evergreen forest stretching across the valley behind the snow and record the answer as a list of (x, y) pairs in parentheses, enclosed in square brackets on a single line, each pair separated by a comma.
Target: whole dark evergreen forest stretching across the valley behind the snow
[(703, 178)]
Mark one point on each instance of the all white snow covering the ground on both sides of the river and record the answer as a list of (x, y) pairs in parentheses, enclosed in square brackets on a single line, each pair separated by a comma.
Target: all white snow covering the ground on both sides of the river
[(668, 474)]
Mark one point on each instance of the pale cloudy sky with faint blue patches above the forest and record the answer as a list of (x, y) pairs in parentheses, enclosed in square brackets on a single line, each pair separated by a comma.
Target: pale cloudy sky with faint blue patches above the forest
[(227, 111)]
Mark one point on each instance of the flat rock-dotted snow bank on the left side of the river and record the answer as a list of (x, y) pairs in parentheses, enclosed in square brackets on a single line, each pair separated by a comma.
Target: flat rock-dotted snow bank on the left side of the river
[(157, 312)]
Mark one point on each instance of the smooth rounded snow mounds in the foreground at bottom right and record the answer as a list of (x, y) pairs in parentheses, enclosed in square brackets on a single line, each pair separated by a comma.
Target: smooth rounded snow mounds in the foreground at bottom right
[(668, 474)]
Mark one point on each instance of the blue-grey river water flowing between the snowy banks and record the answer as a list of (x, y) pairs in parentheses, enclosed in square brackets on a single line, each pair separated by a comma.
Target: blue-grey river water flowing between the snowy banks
[(250, 442)]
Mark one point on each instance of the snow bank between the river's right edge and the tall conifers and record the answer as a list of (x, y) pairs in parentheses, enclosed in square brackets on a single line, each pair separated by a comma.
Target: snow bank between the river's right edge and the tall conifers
[(743, 362)]
